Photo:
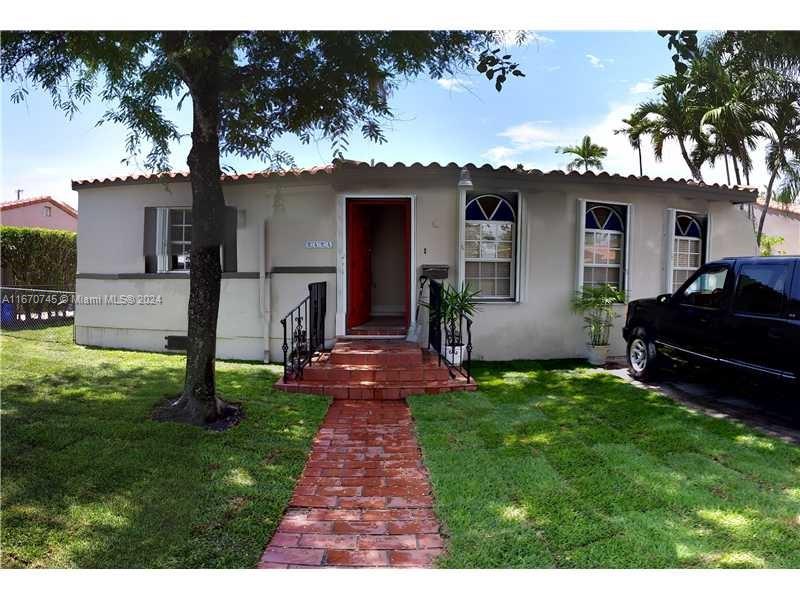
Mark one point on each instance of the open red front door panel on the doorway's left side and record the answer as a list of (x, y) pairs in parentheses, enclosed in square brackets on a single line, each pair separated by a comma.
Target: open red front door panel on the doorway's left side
[(359, 264)]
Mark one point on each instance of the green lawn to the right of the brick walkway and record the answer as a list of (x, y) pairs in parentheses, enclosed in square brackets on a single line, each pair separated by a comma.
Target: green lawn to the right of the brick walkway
[(553, 465)]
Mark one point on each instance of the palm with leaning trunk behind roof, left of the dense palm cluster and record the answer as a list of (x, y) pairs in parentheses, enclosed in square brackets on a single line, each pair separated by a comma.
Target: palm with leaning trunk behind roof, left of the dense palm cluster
[(673, 117)]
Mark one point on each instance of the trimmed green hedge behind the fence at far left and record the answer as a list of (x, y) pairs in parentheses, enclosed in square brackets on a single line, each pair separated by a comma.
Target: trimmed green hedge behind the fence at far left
[(43, 258)]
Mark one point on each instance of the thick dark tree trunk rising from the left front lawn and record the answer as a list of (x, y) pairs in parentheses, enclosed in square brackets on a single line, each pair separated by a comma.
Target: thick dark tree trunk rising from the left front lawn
[(199, 404)]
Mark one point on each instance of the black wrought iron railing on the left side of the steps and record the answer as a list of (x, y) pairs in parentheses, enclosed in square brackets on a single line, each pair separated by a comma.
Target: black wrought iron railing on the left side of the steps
[(304, 331)]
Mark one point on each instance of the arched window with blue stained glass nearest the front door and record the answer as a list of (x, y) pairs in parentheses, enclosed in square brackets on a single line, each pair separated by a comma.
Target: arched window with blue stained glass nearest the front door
[(489, 244)]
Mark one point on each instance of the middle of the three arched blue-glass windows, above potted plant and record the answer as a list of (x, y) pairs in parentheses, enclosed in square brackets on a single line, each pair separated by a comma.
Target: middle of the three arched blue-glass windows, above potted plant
[(604, 254)]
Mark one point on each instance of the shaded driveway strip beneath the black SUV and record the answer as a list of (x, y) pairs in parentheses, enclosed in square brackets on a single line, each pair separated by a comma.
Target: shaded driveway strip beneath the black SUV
[(769, 408)]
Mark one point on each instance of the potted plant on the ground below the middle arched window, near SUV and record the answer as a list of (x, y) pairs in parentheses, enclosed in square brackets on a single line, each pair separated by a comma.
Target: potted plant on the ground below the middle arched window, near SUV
[(596, 304)]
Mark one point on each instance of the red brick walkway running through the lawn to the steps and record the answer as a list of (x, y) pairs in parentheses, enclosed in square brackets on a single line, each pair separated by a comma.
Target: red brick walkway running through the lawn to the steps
[(364, 499)]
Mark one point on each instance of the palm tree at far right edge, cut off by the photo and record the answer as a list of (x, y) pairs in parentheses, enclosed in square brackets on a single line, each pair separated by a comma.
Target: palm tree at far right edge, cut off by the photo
[(780, 125)]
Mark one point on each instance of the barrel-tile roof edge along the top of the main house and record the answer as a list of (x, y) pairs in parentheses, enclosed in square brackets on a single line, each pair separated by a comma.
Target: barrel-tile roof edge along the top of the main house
[(739, 193)]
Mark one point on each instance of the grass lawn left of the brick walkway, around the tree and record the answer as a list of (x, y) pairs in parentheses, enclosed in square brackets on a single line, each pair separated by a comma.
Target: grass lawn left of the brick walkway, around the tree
[(90, 481)]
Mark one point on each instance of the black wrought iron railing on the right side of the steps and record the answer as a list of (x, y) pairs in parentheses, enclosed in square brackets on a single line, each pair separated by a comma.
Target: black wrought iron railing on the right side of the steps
[(451, 338)]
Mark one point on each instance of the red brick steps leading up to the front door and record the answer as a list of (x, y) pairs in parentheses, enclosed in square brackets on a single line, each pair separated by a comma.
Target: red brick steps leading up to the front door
[(376, 370)]
